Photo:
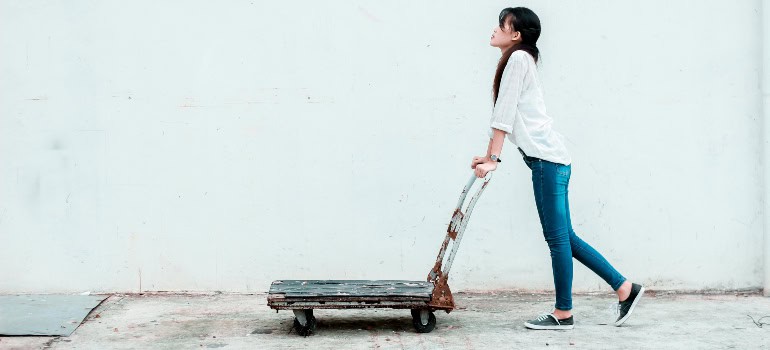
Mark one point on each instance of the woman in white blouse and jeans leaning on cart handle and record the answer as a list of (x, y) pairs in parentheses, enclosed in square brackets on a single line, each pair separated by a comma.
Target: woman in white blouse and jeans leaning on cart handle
[(519, 113)]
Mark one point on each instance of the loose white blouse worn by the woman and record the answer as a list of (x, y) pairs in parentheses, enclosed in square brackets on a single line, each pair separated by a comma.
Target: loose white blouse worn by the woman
[(520, 112)]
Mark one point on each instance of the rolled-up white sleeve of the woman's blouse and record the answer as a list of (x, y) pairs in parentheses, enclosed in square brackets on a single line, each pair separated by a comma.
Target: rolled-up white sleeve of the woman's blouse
[(511, 85)]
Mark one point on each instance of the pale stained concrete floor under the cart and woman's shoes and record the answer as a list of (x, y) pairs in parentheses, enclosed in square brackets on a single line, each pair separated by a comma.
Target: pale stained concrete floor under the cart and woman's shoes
[(482, 321)]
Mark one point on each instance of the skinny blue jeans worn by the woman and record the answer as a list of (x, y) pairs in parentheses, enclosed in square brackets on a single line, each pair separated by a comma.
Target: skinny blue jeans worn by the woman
[(550, 181)]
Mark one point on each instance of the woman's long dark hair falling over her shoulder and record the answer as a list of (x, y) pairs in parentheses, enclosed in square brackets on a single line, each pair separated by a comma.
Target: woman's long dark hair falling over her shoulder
[(526, 22)]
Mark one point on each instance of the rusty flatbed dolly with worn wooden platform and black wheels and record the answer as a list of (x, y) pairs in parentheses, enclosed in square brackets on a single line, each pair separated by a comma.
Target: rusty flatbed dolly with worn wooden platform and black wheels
[(421, 297)]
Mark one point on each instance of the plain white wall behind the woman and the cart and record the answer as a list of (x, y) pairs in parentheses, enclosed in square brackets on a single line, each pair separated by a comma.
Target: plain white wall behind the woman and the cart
[(219, 146)]
